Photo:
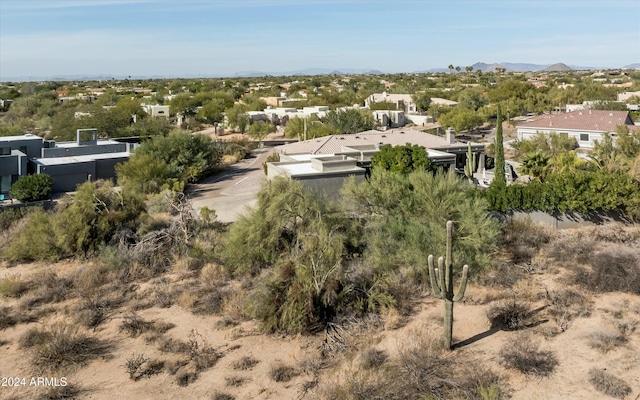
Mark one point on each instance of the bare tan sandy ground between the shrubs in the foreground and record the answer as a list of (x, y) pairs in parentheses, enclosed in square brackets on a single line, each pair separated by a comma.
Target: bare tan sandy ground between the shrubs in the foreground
[(106, 378)]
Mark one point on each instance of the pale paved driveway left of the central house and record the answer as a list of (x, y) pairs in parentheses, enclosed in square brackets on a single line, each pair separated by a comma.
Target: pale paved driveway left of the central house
[(234, 189)]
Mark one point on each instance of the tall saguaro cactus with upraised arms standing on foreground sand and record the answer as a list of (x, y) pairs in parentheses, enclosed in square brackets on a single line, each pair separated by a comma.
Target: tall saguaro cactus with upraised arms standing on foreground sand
[(442, 285)]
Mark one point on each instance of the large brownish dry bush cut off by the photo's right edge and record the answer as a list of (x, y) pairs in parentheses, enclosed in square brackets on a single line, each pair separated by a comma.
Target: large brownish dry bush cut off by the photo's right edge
[(615, 268)]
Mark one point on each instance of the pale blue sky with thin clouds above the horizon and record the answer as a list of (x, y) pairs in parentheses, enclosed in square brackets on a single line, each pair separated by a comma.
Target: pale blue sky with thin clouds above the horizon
[(174, 38)]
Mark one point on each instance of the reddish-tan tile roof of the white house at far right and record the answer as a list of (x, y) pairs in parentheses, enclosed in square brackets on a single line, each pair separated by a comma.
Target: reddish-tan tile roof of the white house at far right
[(585, 120)]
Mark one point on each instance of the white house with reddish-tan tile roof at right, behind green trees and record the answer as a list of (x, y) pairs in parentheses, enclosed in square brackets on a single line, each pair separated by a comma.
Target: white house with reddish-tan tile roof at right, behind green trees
[(586, 126)]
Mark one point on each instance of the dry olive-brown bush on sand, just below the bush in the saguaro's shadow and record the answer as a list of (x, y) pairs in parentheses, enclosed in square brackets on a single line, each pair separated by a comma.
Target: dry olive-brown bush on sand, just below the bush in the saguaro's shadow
[(524, 354)]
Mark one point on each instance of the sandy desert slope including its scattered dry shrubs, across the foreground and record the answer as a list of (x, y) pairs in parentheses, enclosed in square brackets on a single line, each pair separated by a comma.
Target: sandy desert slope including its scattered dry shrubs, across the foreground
[(560, 313)]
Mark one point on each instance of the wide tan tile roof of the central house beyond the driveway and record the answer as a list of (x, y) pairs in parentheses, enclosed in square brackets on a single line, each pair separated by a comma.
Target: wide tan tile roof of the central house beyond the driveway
[(395, 137)]
